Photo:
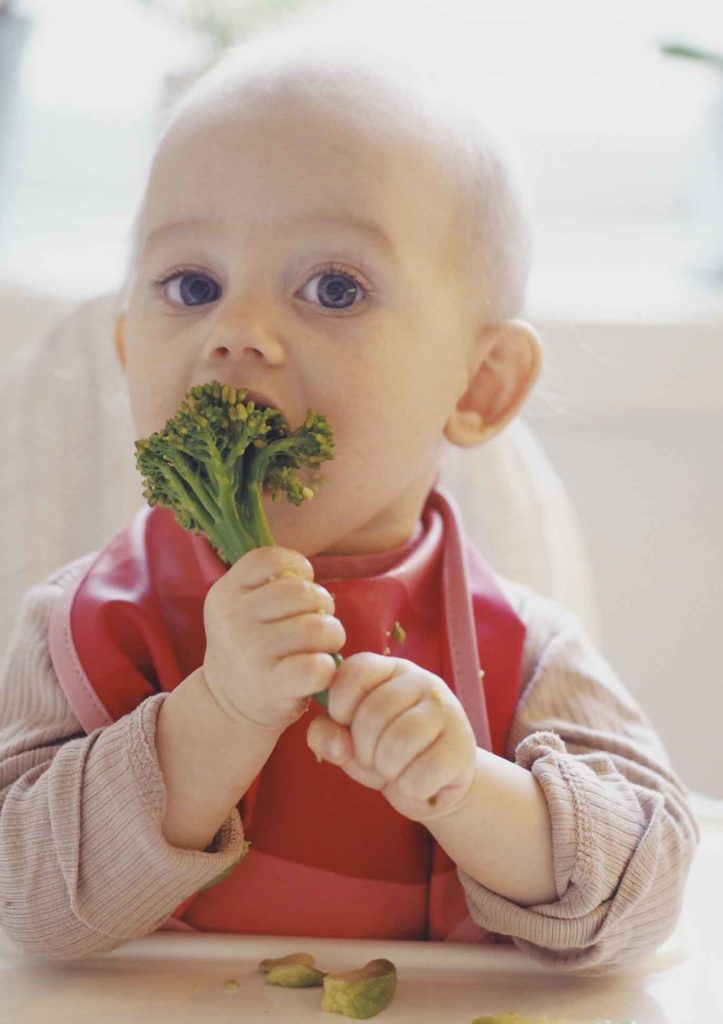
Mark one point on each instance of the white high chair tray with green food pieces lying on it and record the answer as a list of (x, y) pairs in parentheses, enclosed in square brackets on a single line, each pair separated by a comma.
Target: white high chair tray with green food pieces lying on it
[(180, 978)]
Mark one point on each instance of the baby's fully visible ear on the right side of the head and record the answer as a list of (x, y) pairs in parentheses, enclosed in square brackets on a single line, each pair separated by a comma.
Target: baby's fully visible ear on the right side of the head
[(507, 364)]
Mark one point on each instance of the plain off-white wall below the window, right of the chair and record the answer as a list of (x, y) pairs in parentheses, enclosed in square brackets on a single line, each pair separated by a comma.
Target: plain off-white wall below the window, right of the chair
[(639, 440)]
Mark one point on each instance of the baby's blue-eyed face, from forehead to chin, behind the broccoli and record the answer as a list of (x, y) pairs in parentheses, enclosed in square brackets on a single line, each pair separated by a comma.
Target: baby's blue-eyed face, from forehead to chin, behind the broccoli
[(282, 253)]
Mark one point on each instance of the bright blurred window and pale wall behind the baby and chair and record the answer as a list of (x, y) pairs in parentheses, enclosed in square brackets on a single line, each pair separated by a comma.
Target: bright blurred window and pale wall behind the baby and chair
[(617, 113)]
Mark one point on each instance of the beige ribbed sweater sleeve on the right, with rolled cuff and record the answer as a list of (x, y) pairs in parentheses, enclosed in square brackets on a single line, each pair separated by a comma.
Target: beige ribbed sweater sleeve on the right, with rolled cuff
[(624, 834)]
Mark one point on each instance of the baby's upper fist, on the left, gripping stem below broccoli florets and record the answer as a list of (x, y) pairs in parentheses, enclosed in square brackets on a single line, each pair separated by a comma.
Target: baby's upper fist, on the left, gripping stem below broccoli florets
[(268, 647)]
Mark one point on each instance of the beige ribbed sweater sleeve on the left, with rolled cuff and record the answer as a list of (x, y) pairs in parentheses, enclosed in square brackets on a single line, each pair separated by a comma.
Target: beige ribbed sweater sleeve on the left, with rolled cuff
[(84, 866)]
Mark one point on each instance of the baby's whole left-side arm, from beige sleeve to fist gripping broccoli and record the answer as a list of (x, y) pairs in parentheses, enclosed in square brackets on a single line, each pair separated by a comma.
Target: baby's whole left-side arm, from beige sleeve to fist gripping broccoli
[(103, 837)]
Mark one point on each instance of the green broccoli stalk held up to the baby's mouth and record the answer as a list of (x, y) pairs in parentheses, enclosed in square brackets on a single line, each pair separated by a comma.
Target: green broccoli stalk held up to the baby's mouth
[(214, 459)]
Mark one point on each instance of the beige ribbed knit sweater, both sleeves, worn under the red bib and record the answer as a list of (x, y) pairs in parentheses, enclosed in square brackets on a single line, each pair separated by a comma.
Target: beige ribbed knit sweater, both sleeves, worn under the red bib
[(84, 867)]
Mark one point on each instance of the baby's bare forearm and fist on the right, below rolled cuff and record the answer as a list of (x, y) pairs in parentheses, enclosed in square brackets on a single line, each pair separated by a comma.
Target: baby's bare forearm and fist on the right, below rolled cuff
[(399, 729)]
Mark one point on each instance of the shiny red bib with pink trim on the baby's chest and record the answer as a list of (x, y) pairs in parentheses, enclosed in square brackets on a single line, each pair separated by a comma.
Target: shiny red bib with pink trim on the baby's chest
[(328, 857)]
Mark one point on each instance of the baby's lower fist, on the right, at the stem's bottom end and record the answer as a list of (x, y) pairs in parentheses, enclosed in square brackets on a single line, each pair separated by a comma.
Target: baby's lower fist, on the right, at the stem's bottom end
[(398, 729)]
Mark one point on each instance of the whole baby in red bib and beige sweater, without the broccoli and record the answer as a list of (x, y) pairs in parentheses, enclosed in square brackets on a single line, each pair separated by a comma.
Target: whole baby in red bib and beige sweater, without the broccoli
[(331, 237)]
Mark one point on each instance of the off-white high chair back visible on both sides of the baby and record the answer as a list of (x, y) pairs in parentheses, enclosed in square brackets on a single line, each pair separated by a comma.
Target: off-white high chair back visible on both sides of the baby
[(68, 482)]
